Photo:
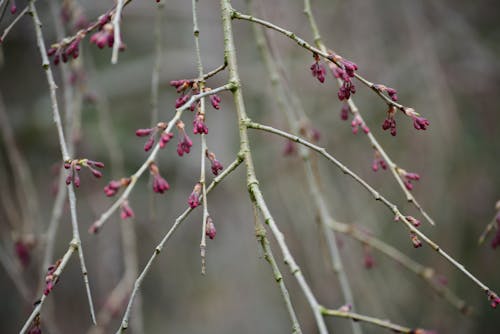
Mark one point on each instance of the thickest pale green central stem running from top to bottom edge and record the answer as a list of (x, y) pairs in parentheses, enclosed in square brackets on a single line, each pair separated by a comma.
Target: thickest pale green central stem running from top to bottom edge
[(252, 182)]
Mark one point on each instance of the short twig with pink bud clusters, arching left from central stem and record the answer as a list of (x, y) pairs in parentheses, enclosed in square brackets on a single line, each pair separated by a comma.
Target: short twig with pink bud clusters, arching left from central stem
[(133, 179)]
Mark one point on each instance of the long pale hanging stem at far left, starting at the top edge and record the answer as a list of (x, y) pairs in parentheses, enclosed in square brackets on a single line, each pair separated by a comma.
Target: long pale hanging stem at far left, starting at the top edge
[(63, 146)]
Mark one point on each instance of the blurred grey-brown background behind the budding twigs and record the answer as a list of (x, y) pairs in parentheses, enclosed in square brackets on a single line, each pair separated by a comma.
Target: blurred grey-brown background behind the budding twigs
[(441, 56)]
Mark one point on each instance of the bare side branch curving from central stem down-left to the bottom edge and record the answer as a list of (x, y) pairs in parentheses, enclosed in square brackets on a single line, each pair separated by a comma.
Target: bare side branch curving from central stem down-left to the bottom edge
[(161, 245)]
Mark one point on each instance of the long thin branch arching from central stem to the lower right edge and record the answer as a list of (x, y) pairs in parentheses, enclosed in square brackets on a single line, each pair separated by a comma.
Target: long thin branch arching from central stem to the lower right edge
[(397, 213)]
